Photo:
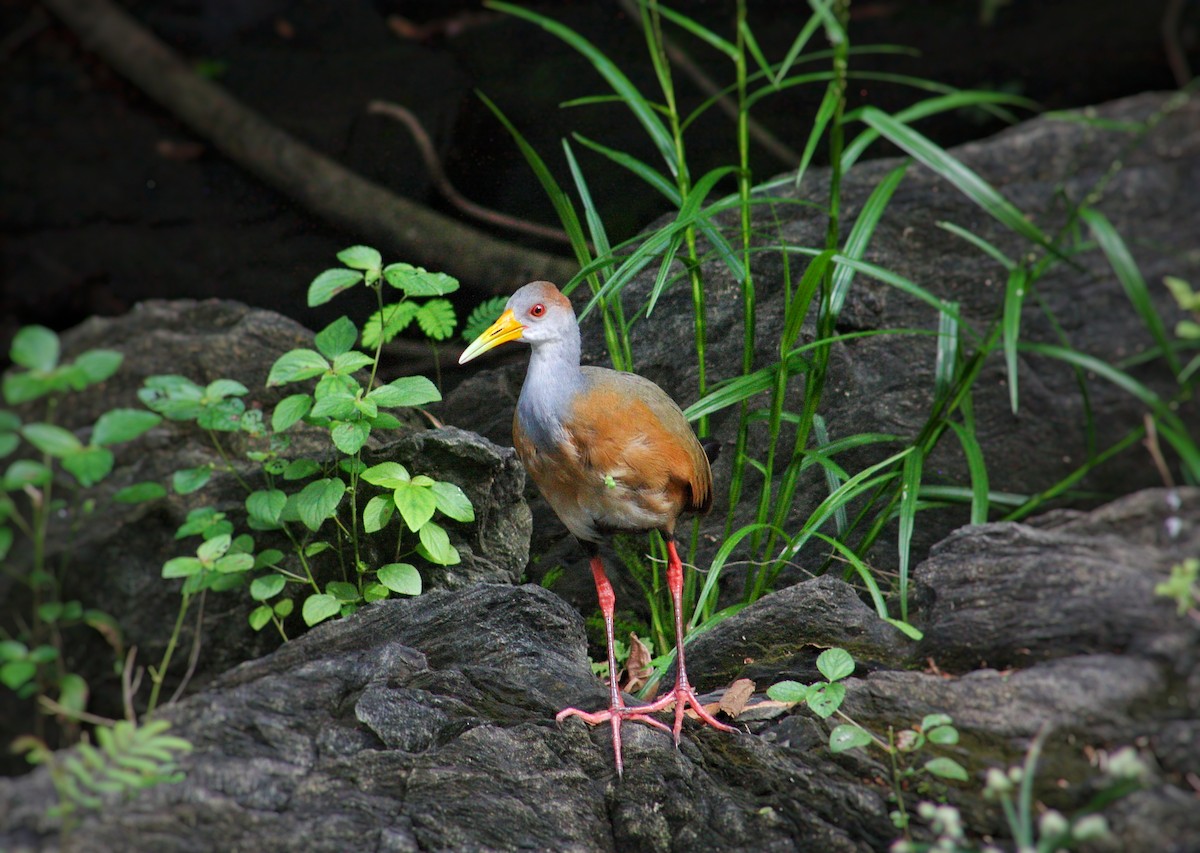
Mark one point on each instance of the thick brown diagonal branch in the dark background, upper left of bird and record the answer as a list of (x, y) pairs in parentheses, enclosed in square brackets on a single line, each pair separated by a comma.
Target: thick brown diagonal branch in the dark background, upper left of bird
[(322, 187)]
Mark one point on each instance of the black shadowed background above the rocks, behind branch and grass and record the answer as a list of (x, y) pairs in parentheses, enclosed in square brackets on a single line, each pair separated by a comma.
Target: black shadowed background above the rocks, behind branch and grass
[(106, 200)]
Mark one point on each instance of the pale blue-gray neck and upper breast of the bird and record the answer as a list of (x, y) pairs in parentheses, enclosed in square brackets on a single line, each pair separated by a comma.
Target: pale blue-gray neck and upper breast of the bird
[(551, 383)]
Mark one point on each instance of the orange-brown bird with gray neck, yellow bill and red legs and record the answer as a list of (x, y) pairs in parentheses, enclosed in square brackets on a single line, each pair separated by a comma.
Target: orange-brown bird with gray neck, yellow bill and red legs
[(611, 453)]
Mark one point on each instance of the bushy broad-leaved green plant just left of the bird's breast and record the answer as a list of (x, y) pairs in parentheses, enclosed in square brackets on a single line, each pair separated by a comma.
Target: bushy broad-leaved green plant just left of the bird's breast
[(304, 497)]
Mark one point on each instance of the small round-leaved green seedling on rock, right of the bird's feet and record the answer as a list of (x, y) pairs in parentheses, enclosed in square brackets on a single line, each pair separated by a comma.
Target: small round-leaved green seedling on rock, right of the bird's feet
[(825, 700)]
